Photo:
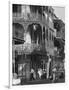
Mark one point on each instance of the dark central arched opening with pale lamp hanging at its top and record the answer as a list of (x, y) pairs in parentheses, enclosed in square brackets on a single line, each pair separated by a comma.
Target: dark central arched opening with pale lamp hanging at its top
[(35, 31)]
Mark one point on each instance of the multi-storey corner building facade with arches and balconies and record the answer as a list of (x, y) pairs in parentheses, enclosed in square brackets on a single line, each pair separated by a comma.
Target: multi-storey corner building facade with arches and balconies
[(33, 38)]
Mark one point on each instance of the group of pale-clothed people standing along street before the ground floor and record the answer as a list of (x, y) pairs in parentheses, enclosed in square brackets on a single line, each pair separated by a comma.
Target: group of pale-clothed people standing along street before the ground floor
[(40, 74)]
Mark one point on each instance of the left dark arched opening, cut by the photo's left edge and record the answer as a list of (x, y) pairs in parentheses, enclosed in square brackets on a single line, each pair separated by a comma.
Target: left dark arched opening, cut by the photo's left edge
[(18, 33)]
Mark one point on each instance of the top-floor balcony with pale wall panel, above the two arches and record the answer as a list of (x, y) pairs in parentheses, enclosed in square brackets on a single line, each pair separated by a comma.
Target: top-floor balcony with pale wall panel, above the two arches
[(26, 12)]
